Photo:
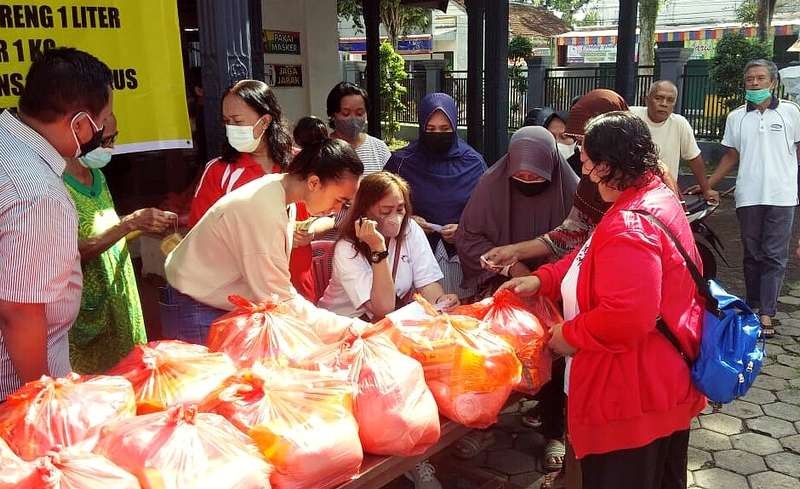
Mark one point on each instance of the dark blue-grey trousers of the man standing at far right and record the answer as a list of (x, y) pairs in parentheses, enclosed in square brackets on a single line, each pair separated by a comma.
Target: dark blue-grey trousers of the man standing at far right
[(766, 232)]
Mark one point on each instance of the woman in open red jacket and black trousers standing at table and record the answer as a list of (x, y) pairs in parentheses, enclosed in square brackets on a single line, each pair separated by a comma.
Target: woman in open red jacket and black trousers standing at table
[(630, 397)]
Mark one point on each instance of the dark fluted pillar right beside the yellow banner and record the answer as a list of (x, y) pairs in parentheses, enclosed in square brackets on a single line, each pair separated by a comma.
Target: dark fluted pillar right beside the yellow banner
[(230, 33)]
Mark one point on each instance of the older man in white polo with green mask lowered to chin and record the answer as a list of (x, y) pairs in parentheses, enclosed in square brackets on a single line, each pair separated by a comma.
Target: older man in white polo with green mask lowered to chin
[(763, 136)]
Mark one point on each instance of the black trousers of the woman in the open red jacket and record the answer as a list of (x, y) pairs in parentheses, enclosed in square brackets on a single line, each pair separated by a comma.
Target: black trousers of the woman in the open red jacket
[(659, 465)]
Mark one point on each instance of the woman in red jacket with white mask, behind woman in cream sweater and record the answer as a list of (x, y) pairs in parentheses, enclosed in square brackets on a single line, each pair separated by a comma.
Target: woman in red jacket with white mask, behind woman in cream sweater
[(257, 143)]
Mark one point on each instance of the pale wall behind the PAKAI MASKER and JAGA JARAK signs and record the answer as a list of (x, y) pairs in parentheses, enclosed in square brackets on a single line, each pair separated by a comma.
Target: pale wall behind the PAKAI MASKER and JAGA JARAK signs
[(316, 22)]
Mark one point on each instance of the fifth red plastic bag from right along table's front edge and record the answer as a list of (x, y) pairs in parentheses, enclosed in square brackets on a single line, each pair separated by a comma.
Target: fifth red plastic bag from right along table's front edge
[(183, 449)]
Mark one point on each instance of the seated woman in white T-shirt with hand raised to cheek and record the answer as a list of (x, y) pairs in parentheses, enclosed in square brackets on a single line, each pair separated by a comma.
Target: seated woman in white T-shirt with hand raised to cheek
[(382, 256)]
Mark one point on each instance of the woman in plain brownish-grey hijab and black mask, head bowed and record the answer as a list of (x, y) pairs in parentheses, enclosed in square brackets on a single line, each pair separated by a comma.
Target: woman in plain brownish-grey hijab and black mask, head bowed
[(526, 193)]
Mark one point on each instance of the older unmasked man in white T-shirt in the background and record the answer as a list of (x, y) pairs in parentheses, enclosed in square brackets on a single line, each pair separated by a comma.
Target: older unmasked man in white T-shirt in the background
[(673, 135)]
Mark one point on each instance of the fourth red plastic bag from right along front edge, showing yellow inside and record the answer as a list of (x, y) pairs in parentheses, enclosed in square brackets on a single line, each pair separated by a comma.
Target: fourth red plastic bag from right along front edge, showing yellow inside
[(301, 420)]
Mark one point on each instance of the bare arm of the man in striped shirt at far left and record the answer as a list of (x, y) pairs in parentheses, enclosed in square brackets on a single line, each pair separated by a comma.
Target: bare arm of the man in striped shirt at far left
[(24, 330)]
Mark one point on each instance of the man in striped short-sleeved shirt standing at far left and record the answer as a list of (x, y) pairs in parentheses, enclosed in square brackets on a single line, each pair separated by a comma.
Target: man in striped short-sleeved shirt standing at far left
[(62, 110)]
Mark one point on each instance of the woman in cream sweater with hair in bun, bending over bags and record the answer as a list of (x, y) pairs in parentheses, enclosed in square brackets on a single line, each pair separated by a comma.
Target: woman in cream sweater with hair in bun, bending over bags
[(242, 244)]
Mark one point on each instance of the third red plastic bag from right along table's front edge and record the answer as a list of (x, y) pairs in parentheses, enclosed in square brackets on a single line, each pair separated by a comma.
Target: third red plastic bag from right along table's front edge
[(395, 410)]
